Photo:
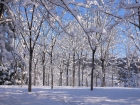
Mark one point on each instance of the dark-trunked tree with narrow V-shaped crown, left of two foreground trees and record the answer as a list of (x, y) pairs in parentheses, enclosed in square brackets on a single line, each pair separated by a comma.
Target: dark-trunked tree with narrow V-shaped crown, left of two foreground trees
[(30, 32)]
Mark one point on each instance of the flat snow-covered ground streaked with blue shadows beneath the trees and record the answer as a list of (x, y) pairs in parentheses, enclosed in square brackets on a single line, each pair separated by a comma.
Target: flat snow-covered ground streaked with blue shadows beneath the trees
[(17, 95)]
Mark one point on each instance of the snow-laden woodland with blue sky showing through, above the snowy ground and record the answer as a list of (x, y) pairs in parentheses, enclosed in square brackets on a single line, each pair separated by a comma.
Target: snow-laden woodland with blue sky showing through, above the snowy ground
[(93, 43)]
